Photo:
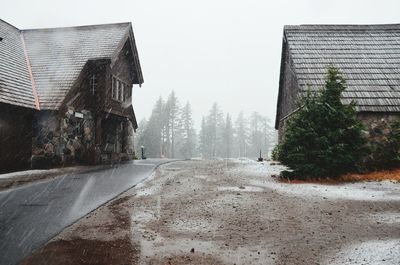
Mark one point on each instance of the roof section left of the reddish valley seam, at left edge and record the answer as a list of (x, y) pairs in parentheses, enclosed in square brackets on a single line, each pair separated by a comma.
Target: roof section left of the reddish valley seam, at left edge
[(15, 83)]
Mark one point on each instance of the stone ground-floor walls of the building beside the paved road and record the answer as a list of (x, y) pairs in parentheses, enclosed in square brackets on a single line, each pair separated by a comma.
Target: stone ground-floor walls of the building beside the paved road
[(69, 138)]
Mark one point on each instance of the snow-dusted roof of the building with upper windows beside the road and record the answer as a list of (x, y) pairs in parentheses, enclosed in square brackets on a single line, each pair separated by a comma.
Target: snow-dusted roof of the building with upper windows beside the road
[(56, 56)]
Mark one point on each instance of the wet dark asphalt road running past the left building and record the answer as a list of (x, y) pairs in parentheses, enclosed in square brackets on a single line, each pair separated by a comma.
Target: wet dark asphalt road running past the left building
[(33, 214)]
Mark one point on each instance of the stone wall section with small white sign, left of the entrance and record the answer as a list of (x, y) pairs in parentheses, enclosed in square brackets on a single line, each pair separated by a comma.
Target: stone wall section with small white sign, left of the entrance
[(62, 139)]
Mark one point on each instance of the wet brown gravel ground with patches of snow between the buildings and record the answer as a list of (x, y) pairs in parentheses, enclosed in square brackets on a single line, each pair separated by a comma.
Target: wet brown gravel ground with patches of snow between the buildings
[(234, 212)]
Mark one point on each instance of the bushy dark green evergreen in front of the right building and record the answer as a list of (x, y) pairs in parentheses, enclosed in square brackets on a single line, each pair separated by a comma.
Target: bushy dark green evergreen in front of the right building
[(324, 138)]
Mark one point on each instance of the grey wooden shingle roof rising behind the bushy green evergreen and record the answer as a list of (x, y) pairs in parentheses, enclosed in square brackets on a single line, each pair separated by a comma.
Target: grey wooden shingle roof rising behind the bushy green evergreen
[(368, 55)]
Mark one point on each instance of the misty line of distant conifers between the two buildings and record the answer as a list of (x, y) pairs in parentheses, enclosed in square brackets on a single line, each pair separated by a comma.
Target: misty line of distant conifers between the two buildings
[(170, 132)]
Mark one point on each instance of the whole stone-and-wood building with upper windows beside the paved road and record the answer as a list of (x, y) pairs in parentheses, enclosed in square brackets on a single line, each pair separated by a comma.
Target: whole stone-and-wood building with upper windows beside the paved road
[(66, 95)]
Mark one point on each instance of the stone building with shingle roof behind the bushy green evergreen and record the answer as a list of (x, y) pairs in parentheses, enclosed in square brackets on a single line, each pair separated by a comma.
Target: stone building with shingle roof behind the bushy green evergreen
[(368, 56)]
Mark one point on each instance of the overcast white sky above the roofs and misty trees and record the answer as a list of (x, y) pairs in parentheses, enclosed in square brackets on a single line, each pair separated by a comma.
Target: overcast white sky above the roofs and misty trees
[(207, 50)]
